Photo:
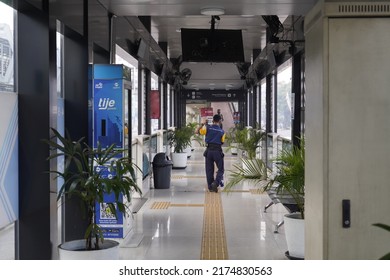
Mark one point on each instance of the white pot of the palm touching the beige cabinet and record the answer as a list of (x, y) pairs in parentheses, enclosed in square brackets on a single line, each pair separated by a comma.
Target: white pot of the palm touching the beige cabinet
[(294, 227)]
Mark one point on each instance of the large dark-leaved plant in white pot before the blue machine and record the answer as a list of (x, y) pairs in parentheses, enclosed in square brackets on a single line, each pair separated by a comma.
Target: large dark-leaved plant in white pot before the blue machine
[(82, 177)]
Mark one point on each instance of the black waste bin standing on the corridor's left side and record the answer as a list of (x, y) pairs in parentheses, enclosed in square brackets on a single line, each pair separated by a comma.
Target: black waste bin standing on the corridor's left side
[(162, 168)]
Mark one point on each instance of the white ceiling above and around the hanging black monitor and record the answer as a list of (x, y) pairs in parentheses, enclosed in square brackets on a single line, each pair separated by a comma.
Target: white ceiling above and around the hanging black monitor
[(169, 16)]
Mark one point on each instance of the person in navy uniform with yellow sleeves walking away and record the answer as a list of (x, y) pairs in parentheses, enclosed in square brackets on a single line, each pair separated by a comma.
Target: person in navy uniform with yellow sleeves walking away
[(215, 137)]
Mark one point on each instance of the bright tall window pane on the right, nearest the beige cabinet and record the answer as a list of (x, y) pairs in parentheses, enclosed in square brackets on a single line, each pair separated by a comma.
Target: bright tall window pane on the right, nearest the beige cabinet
[(284, 98)]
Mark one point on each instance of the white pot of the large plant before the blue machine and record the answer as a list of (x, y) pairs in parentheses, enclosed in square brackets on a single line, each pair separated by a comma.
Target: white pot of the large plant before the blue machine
[(74, 250)]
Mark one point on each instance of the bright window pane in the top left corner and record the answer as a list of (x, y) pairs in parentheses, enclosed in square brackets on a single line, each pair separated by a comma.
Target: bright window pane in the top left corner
[(7, 51)]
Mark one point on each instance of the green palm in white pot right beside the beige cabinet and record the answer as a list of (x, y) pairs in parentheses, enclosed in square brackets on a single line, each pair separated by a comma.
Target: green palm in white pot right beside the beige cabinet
[(290, 180)]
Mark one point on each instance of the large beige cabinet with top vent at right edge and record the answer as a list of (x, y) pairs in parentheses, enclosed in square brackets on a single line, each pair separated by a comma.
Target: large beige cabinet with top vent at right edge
[(347, 129)]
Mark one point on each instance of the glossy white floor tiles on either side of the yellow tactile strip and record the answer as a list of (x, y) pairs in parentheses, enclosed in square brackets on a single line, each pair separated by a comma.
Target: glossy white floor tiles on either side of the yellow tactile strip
[(176, 232)]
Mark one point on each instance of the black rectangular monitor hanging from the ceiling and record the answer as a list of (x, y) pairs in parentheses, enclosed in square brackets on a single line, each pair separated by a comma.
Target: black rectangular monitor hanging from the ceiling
[(218, 45)]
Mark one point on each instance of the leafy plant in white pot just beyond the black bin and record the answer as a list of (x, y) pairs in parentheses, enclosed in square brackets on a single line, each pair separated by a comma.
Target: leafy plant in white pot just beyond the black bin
[(179, 139)]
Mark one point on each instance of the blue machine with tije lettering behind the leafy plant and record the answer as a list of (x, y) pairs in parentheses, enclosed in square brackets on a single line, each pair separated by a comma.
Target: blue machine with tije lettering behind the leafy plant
[(110, 82)]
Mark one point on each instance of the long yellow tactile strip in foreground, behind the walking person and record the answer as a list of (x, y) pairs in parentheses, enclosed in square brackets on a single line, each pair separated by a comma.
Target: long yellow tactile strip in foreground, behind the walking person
[(214, 245)]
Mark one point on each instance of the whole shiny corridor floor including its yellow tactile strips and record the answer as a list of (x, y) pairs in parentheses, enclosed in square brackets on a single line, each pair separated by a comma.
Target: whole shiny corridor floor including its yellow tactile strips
[(186, 222)]
